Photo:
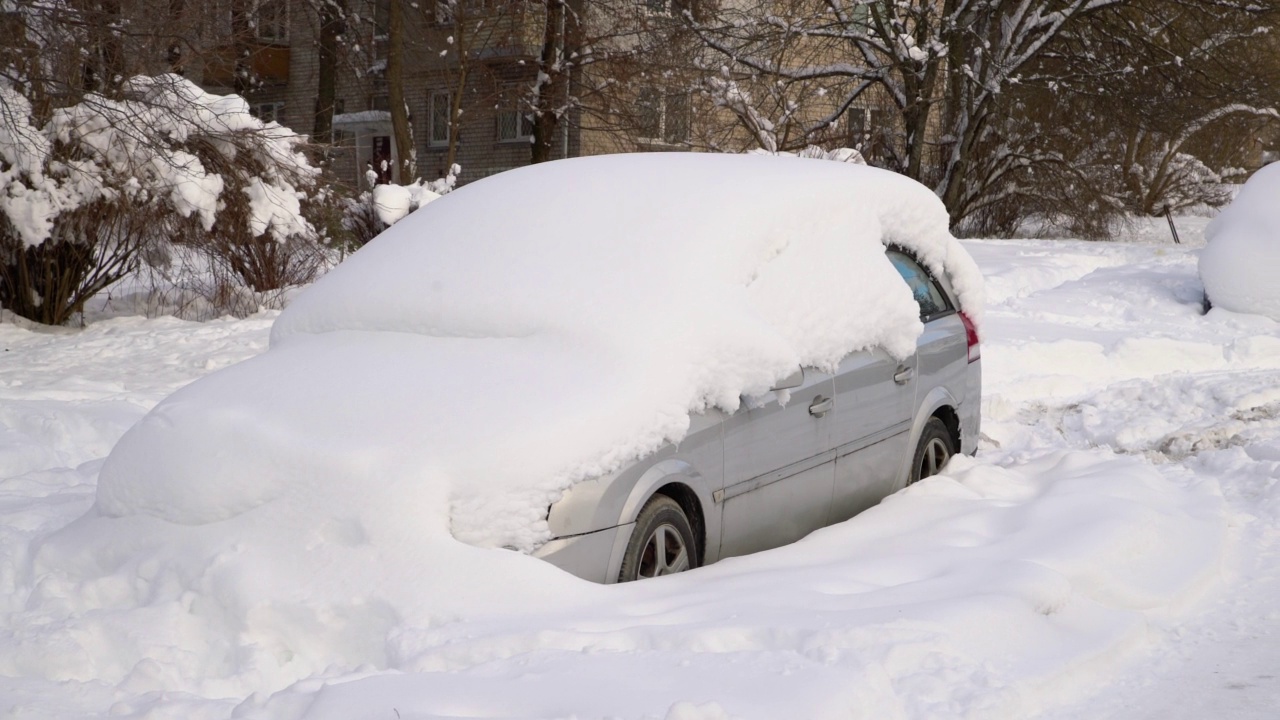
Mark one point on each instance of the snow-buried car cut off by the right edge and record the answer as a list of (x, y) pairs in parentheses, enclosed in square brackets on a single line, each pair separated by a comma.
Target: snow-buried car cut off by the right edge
[(1240, 262)]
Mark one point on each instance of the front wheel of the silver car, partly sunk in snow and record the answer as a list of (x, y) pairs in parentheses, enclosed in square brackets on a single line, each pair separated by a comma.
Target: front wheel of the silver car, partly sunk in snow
[(662, 543)]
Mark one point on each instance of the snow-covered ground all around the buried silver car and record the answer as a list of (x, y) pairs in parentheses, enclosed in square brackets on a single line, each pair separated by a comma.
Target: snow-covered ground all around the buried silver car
[(1114, 552)]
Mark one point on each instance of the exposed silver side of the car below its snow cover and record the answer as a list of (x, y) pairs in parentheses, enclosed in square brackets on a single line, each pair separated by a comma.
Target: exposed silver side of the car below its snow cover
[(817, 450)]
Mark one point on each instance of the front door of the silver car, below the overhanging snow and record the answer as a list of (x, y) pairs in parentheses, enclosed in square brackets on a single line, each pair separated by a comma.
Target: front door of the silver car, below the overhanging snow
[(779, 468)]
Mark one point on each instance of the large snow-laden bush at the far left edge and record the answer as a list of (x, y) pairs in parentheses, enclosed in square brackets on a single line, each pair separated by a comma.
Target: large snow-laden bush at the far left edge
[(86, 194)]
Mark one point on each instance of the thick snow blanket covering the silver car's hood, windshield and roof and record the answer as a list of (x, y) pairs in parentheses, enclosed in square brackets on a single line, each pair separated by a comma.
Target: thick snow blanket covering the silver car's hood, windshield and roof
[(537, 329)]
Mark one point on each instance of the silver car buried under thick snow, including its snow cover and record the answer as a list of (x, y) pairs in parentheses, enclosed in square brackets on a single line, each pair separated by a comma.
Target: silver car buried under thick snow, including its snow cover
[(627, 366)]
